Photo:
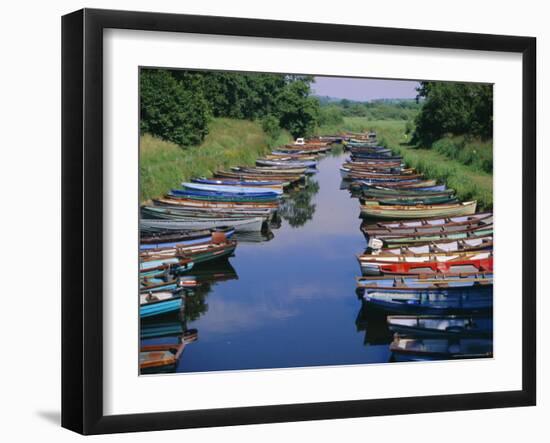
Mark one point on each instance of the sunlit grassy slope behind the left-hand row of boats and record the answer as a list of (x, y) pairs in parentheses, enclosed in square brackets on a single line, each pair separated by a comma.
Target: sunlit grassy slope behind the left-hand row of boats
[(164, 165)]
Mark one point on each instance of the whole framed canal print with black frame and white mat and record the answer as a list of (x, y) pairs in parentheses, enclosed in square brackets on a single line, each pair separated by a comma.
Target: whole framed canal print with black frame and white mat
[(273, 221)]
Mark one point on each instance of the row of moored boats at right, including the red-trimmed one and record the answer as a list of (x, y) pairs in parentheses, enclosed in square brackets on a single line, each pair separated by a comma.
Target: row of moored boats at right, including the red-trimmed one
[(428, 266)]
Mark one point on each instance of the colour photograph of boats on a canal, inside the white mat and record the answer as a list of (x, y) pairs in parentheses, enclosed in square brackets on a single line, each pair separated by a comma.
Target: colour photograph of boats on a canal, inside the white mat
[(292, 220)]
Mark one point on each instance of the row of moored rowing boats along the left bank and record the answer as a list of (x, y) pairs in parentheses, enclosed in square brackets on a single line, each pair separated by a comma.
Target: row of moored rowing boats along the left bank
[(203, 222)]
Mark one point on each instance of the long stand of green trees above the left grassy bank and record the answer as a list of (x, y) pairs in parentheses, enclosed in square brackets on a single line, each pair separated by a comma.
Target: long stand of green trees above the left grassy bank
[(177, 104)]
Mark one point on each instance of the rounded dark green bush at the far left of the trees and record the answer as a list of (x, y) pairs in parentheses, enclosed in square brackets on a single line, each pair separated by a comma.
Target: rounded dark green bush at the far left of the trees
[(172, 108)]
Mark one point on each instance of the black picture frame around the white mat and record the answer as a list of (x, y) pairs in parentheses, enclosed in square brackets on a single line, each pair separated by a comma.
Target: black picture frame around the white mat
[(82, 218)]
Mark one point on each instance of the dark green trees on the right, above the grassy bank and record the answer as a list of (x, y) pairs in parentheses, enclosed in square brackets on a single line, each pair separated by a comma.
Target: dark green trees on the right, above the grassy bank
[(453, 108)]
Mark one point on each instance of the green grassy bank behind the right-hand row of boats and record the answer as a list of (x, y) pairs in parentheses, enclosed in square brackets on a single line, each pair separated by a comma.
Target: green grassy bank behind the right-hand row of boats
[(464, 171)]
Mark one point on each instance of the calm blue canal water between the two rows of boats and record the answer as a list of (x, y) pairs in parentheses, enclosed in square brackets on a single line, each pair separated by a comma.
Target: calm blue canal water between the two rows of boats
[(289, 301)]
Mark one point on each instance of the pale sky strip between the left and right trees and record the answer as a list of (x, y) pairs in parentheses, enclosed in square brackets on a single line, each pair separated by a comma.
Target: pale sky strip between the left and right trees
[(363, 89)]
